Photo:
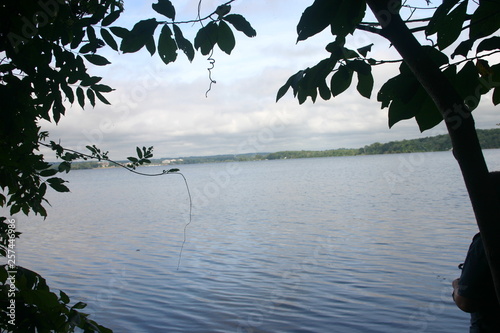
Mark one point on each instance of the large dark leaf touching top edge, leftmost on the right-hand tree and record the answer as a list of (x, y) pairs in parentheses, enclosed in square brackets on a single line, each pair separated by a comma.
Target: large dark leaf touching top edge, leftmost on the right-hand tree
[(316, 18)]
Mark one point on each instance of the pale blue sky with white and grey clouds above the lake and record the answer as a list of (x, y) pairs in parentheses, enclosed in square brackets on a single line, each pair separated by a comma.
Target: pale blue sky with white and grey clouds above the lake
[(167, 106)]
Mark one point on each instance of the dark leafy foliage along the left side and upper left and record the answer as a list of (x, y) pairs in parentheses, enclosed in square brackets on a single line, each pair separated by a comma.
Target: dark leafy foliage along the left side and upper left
[(46, 48)]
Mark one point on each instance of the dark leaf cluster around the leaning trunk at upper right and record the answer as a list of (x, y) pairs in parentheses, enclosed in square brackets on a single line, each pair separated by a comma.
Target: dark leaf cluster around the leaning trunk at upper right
[(403, 95)]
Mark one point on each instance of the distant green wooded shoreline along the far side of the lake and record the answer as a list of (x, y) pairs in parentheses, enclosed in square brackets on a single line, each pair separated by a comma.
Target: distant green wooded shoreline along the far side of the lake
[(489, 139)]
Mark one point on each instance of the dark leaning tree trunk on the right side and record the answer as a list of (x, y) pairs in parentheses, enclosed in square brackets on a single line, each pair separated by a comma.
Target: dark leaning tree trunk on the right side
[(460, 125)]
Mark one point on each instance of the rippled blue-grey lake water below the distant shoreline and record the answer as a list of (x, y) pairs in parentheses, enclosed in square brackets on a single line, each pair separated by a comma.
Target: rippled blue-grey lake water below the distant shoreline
[(343, 244)]
